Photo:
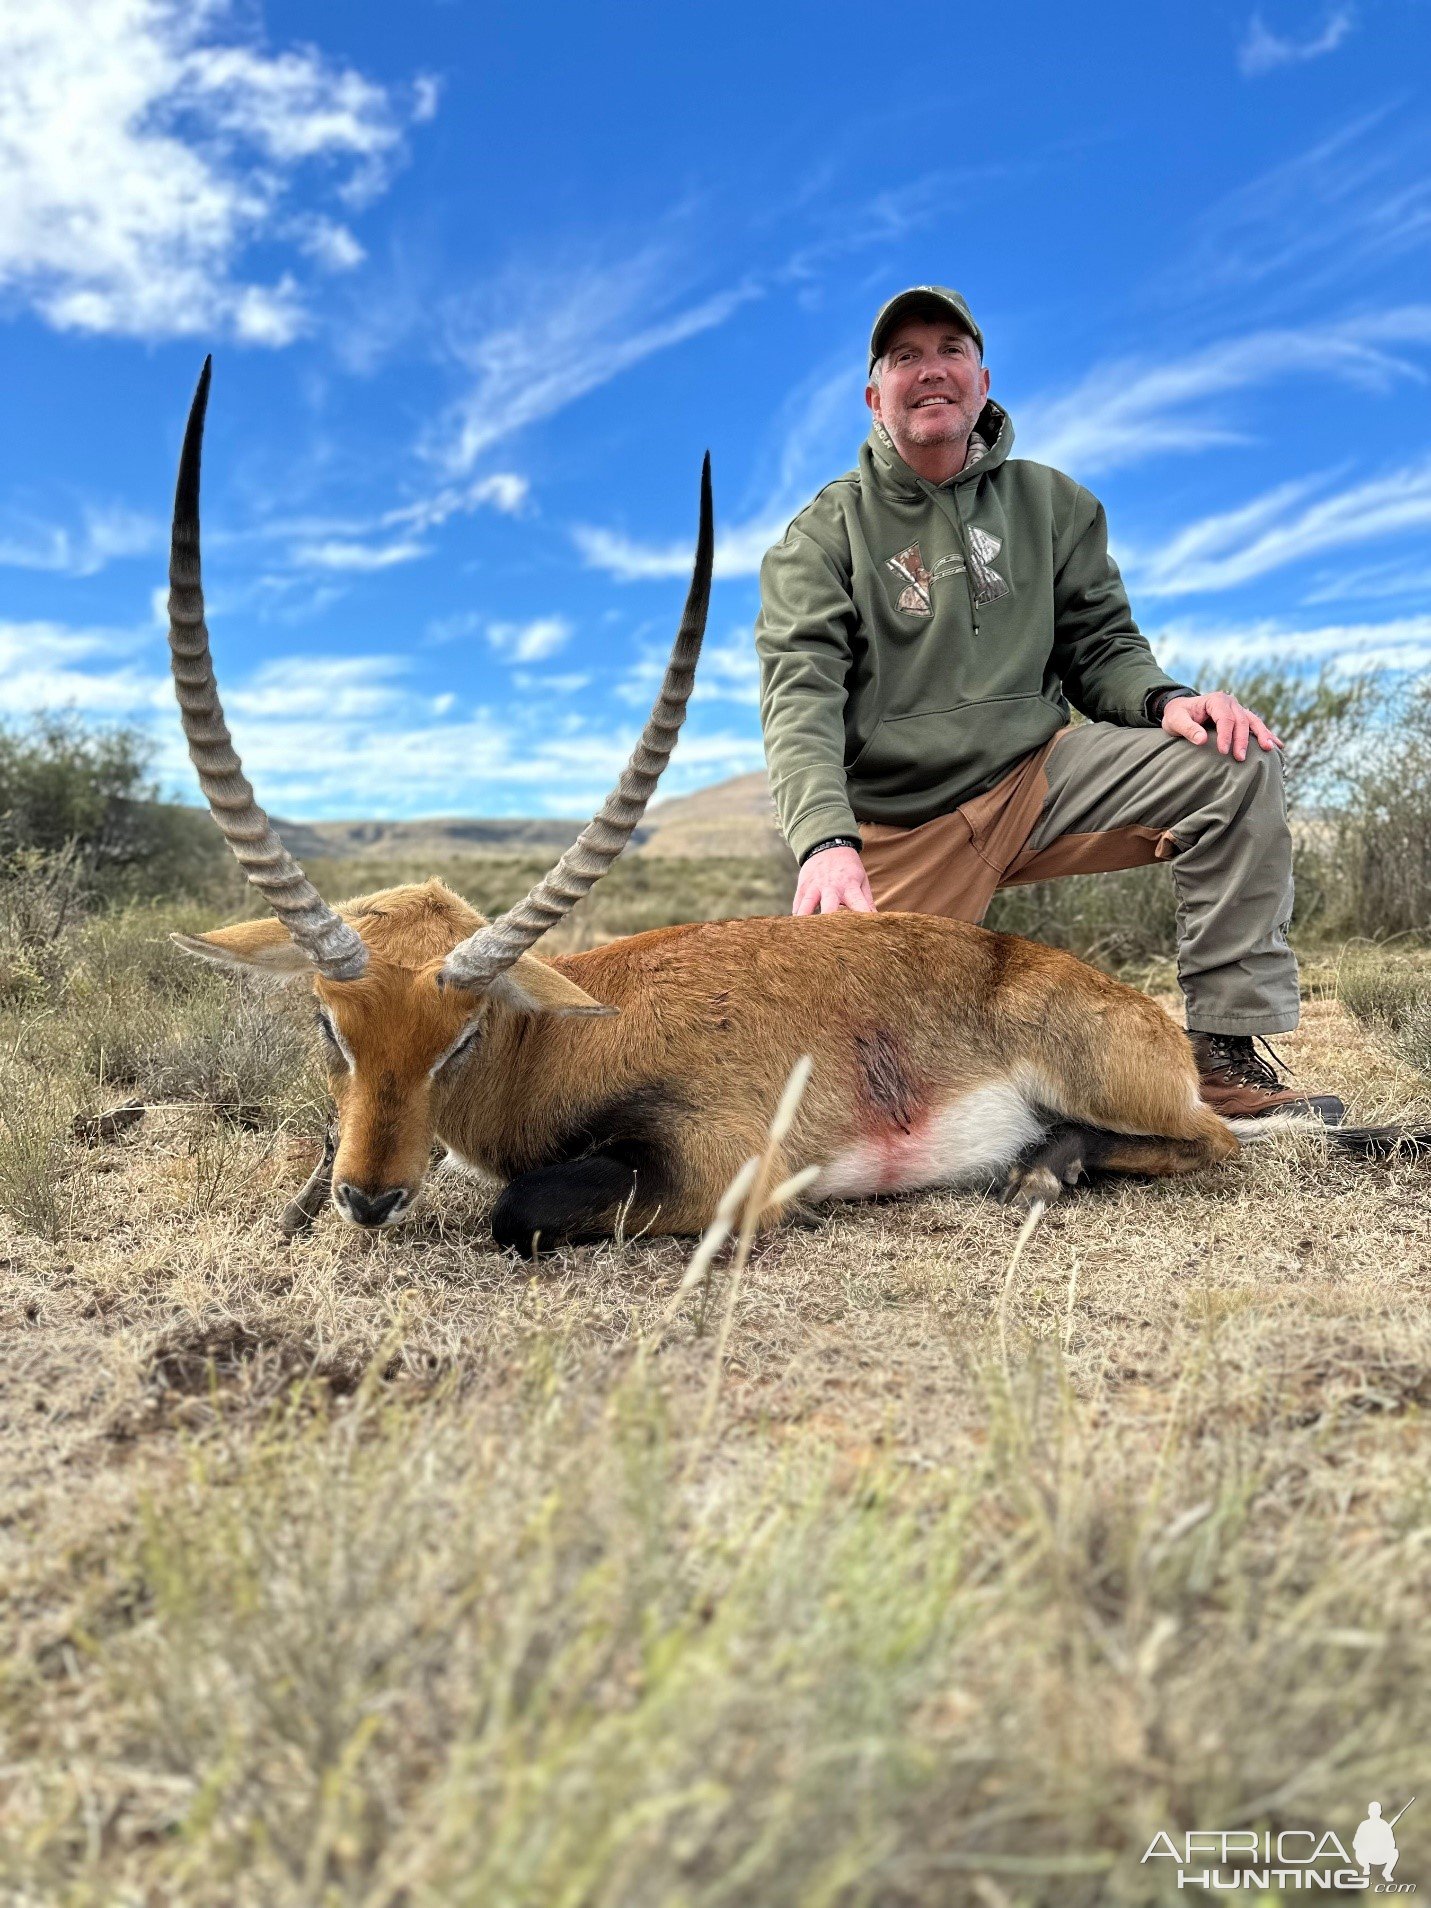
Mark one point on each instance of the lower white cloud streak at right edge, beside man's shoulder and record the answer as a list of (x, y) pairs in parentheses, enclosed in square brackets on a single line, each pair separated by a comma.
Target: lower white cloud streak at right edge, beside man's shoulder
[(1281, 528)]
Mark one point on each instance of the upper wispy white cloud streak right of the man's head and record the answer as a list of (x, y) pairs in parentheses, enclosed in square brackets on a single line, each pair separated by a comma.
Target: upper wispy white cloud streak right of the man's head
[(1129, 411)]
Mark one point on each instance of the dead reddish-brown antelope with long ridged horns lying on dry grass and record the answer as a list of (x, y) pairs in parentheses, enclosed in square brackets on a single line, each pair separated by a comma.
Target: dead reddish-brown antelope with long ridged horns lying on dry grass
[(627, 1087)]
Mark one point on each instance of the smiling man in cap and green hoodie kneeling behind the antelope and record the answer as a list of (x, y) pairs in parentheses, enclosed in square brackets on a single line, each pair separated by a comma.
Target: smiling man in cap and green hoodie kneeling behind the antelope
[(926, 623)]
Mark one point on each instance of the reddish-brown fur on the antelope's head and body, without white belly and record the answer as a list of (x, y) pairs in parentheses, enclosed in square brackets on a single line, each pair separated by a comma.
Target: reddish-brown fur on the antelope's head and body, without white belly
[(902, 1014)]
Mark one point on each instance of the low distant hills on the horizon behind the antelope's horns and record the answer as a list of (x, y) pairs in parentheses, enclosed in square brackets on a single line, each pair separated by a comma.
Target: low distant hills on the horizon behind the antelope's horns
[(734, 818)]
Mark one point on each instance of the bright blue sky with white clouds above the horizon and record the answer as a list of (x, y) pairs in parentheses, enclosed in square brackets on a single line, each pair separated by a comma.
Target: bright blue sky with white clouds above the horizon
[(484, 283)]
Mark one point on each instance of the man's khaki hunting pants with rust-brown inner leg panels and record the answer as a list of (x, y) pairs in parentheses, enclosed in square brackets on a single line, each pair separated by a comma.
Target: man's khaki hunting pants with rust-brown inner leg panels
[(1100, 798)]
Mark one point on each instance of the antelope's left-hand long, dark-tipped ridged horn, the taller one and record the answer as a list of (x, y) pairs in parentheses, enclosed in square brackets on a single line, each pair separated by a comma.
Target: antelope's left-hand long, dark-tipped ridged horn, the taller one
[(335, 949)]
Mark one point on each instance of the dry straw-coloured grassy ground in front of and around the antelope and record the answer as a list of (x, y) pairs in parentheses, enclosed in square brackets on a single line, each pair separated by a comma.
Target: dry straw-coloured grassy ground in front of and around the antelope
[(386, 1571)]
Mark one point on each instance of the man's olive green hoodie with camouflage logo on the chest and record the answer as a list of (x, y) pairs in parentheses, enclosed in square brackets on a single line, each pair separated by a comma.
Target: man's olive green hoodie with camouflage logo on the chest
[(917, 640)]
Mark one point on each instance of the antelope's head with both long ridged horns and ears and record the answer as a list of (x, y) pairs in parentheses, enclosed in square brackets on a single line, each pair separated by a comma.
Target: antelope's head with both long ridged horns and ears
[(405, 982)]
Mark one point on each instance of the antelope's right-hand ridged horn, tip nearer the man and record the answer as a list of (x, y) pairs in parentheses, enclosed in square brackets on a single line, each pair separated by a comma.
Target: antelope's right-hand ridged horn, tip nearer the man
[(493, 949)]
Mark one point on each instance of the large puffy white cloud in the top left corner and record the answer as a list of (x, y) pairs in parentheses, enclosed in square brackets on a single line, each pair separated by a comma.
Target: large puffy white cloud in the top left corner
[(148, 144)]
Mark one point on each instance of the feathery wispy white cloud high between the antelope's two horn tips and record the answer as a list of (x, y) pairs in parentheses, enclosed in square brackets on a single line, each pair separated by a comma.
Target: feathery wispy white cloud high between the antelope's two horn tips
[(564, 331)]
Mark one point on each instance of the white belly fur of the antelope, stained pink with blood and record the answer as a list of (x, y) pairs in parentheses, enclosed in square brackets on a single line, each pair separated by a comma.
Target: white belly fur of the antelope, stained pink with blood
[(970, 1140)]
